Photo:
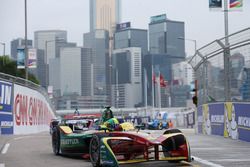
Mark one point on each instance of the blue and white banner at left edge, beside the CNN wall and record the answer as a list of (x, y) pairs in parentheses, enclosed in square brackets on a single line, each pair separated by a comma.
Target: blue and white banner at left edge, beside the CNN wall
[(6, 101)]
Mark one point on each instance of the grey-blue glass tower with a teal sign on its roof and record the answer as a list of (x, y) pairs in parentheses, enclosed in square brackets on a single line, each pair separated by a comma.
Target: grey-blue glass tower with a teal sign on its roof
[(164, 36)]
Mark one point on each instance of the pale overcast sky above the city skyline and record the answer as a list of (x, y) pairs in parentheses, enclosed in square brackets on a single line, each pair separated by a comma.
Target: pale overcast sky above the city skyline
[(201, 24)]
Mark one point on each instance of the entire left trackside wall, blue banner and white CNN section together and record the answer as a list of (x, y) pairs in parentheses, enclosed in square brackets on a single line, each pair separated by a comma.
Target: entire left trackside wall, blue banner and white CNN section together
[(23, 110)]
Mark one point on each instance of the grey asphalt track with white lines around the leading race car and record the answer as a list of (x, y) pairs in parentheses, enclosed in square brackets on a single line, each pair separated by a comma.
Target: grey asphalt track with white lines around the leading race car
[(35, 151)]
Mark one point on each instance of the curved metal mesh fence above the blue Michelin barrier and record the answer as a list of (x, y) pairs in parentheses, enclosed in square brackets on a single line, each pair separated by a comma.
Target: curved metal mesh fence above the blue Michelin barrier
[(208, 63)]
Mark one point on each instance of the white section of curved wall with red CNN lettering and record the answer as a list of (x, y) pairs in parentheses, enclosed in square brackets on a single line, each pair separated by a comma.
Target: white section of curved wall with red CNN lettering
[(31, 111)]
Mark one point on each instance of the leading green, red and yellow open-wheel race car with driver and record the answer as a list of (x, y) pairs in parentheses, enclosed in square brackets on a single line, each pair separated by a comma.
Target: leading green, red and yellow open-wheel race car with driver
[(110, 143)]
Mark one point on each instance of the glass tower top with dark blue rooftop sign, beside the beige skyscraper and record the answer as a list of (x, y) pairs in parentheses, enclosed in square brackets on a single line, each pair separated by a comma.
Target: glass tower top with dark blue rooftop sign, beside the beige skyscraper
[(130, 37)]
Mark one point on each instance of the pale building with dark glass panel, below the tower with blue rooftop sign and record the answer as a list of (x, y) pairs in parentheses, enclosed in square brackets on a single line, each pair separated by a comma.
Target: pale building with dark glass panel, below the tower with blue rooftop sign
[(126, 77)]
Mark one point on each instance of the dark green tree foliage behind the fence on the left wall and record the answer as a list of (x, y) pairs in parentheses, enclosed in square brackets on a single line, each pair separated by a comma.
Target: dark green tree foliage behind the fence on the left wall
[(9, 66)]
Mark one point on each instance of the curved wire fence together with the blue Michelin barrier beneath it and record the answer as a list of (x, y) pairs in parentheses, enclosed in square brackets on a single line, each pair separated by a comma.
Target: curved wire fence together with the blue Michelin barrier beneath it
[(223, 76)]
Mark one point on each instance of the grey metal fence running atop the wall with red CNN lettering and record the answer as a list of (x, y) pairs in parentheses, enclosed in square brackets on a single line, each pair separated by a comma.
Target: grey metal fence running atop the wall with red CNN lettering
[(29, 84)]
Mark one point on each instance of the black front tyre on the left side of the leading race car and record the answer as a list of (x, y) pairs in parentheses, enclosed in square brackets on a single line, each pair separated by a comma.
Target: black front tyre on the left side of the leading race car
[(94, 151)]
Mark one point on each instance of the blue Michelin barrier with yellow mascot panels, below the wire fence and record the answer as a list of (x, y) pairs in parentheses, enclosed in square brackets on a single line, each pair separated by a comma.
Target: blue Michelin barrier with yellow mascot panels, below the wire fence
[(228, 119)]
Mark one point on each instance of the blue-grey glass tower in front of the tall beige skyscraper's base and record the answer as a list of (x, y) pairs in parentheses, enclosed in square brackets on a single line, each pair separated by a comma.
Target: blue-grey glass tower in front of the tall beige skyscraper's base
[(98, 41)]
